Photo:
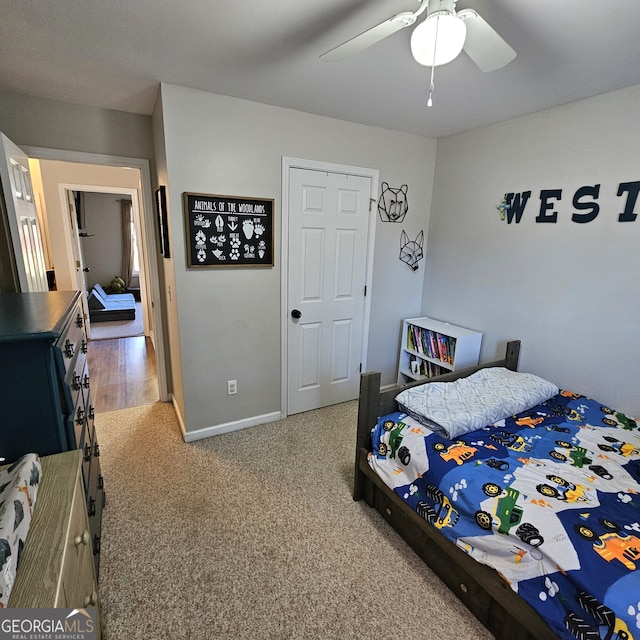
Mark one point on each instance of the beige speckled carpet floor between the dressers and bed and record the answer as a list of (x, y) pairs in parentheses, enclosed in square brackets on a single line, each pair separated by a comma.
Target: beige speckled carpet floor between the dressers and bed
[(254, 535)]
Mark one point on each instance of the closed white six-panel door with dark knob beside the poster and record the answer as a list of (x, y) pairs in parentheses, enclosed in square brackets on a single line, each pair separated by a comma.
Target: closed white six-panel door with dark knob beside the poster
[(328, 230)]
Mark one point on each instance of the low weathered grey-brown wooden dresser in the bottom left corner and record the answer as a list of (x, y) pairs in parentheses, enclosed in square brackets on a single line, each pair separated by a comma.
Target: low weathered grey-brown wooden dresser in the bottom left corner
[(56, 568)]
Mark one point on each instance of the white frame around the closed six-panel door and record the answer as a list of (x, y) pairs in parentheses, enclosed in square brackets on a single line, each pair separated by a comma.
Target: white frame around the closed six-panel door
[(289, 163)]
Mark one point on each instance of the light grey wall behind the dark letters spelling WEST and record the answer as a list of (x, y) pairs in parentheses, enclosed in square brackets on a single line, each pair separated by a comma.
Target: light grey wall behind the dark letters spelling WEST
[(570, 291)]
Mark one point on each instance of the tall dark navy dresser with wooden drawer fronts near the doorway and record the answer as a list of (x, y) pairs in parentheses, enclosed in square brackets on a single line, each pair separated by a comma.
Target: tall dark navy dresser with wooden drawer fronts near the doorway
[(45, 382)]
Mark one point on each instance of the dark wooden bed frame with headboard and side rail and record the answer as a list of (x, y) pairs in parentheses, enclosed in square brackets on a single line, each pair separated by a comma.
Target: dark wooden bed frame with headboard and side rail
[(478, 586)]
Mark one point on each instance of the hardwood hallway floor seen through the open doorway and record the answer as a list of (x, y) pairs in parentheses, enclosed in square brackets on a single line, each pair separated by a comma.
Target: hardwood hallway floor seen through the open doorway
[(123, 373)]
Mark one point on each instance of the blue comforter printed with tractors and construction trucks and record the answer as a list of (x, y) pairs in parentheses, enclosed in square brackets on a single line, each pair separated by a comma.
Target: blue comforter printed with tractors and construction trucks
[(549, 497)]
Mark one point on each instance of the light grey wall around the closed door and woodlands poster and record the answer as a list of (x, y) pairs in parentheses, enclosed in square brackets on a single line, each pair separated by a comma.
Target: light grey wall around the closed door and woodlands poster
[(229, 319)]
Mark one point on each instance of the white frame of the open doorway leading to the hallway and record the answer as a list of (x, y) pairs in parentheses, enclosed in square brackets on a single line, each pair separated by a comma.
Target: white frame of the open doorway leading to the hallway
[(150, 255)]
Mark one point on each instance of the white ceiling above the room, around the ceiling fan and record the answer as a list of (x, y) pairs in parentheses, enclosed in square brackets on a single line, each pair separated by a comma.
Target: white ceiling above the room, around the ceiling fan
[(114, 53)]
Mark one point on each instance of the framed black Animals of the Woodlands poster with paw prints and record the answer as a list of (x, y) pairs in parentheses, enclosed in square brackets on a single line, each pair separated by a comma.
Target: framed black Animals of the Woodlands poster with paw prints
[(228, 231)]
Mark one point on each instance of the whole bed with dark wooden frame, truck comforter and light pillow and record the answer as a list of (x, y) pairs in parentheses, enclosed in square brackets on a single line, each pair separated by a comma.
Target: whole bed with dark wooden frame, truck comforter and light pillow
[(548, 496)]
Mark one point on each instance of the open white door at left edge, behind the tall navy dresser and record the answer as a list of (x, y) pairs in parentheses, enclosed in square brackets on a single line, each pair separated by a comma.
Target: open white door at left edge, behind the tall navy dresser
[(22, 216)]
